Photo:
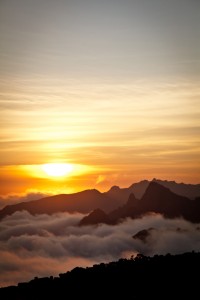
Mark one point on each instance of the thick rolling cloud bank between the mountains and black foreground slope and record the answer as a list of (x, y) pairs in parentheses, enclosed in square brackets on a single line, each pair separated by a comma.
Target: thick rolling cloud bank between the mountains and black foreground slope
[(46, 245)]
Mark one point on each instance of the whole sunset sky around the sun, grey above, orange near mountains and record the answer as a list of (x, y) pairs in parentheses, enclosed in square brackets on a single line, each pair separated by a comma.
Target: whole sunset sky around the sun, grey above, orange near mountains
[(110, 87)]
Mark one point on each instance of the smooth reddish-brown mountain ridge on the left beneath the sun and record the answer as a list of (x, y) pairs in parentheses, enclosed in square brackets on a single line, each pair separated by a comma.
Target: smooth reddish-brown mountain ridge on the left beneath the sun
[(83, 202)]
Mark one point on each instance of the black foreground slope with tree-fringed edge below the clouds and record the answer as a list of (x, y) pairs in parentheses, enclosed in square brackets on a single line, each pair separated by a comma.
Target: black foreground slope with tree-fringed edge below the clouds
[(158, 277)]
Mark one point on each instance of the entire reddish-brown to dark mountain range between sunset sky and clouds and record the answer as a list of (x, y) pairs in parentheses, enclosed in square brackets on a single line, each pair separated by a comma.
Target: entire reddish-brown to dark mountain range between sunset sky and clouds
[(167, 197)]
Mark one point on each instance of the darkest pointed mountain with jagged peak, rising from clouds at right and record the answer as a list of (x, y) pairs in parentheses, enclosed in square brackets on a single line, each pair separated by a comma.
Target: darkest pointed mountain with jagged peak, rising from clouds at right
[(156, 199)]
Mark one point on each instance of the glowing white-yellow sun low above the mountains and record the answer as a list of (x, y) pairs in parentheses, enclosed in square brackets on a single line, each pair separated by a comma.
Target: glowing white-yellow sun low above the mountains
[(57, 169)]
